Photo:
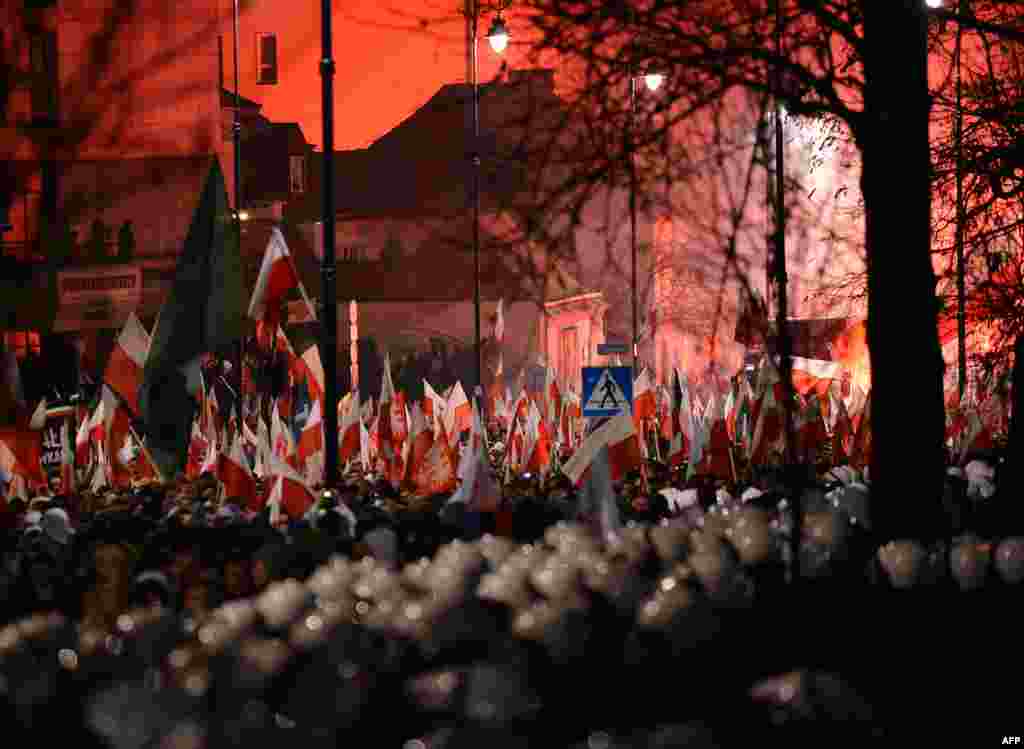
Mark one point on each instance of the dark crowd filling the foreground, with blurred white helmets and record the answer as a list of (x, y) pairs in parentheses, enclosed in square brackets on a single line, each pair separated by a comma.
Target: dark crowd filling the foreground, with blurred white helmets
[(168, 615)]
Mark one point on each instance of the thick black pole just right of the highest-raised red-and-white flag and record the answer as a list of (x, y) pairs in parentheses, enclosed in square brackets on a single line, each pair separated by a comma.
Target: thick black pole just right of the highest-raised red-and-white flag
[(329, 307)]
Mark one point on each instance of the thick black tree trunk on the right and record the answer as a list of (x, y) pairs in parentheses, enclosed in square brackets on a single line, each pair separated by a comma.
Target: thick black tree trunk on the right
[(908, 419)]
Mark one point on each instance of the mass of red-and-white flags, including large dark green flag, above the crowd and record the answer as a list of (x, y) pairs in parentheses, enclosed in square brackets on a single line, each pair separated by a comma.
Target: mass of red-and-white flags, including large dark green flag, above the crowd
[(156, 417)]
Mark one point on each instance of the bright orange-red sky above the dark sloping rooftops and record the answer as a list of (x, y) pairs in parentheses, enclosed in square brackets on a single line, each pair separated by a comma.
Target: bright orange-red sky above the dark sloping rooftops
[(387, 67)]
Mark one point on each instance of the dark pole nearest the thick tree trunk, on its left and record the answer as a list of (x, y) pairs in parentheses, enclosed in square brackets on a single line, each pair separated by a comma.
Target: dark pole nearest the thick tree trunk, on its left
[(782, 281)]
